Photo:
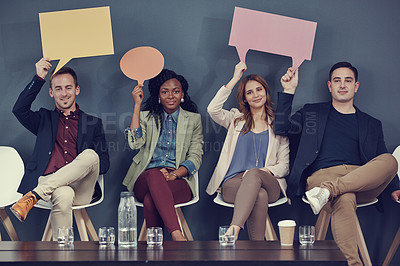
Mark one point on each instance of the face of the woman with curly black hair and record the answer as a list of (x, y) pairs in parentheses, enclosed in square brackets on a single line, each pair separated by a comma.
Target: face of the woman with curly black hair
[(170, 95)]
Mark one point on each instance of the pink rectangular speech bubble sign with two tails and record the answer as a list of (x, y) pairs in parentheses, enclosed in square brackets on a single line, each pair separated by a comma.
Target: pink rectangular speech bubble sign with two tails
[(272, 33)]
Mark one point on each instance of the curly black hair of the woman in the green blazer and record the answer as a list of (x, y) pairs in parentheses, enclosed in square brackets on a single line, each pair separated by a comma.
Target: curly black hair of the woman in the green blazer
[(154, 107)]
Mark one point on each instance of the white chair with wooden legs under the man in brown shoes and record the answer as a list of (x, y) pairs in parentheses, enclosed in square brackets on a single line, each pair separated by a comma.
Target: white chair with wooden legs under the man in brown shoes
[(83, 222)]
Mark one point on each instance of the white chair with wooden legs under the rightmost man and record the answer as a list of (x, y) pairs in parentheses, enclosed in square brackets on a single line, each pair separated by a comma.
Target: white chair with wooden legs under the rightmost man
[(322, 224)]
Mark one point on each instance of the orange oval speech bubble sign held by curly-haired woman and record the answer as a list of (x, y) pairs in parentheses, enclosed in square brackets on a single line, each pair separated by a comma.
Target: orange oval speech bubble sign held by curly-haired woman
[(142, 63)]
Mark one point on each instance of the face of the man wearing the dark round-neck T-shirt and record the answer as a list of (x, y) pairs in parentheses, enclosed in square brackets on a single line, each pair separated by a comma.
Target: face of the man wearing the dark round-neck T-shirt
[(343, 85)]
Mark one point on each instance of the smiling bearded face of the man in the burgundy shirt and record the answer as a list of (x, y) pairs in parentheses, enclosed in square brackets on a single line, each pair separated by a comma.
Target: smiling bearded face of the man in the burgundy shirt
[(64, 91)]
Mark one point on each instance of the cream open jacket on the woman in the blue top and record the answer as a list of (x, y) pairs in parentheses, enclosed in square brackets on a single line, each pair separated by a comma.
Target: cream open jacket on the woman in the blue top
[(277, 160)]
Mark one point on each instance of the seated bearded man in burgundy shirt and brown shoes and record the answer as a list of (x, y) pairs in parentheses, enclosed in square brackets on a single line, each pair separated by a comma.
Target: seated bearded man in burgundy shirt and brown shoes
[(70, 150)]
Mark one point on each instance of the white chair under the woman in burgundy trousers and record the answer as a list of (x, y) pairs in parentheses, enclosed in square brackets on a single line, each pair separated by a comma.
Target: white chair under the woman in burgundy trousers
[(181, 218)]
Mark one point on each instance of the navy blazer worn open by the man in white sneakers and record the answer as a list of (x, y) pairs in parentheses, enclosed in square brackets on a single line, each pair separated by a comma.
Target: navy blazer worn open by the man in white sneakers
[(306, 129)]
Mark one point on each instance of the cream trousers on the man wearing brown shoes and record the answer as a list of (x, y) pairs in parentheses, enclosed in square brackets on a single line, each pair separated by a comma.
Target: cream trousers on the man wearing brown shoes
[(70, 185)]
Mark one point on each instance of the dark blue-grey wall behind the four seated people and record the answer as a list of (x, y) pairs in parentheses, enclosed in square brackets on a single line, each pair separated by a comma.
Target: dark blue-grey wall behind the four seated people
[(193, 37)]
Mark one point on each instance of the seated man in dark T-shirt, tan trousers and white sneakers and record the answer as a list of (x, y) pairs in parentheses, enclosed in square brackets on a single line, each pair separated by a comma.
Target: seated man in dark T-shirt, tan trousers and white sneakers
[(340, 154)]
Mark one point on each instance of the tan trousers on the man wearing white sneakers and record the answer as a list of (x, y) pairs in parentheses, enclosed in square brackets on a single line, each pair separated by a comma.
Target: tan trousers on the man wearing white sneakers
[(349, 185)]
